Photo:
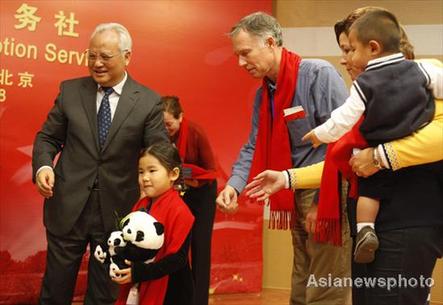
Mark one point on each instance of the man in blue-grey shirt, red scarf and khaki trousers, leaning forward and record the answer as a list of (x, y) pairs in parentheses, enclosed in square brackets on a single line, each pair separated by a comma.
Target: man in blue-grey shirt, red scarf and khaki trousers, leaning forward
[(296, 95)]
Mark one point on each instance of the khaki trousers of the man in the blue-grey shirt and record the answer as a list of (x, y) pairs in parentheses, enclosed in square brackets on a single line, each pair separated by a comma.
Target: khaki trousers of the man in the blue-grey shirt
[(315, 262)]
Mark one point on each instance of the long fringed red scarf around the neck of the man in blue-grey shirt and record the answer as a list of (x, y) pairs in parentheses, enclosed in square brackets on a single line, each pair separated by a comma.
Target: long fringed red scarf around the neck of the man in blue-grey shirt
[(273, 146)]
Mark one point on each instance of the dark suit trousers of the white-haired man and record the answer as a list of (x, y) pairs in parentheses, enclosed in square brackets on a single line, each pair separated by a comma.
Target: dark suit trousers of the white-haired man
[(64, 256)]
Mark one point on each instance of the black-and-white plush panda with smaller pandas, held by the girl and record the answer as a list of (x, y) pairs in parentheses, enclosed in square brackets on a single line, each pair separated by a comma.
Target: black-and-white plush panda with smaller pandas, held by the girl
[(139, 240)]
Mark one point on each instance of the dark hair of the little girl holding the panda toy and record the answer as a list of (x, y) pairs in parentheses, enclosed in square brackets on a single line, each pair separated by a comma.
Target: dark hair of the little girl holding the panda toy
[(167, 154)]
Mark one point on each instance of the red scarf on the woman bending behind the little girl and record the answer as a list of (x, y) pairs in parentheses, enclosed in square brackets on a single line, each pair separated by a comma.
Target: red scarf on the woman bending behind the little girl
[(198, 172)]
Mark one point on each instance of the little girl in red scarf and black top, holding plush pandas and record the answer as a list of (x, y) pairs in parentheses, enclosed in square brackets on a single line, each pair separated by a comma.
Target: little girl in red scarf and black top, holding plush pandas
[(168, 280)]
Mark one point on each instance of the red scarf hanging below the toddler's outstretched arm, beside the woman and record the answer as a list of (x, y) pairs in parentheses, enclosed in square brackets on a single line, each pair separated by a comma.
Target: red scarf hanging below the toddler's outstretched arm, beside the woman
[(328, 228)]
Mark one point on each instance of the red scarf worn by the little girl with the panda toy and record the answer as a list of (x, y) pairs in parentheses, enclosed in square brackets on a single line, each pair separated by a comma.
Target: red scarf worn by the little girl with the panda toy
[(170, 210)]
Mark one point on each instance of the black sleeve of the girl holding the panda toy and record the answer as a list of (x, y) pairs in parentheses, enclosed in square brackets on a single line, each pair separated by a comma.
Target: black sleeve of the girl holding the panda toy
[(167, 265)]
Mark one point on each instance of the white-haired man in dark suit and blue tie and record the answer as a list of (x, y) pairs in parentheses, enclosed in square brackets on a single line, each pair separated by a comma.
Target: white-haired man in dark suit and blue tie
[(98, 125)]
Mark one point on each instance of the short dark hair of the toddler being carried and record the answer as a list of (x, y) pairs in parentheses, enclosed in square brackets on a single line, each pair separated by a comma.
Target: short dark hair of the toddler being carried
[(381, 26)]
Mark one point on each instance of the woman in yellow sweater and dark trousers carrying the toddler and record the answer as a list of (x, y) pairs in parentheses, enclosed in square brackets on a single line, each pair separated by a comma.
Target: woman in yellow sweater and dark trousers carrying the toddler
[(424, 146)]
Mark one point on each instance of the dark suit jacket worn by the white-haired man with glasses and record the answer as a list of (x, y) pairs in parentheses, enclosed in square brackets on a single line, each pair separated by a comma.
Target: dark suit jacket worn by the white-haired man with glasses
[(71, 129)]
